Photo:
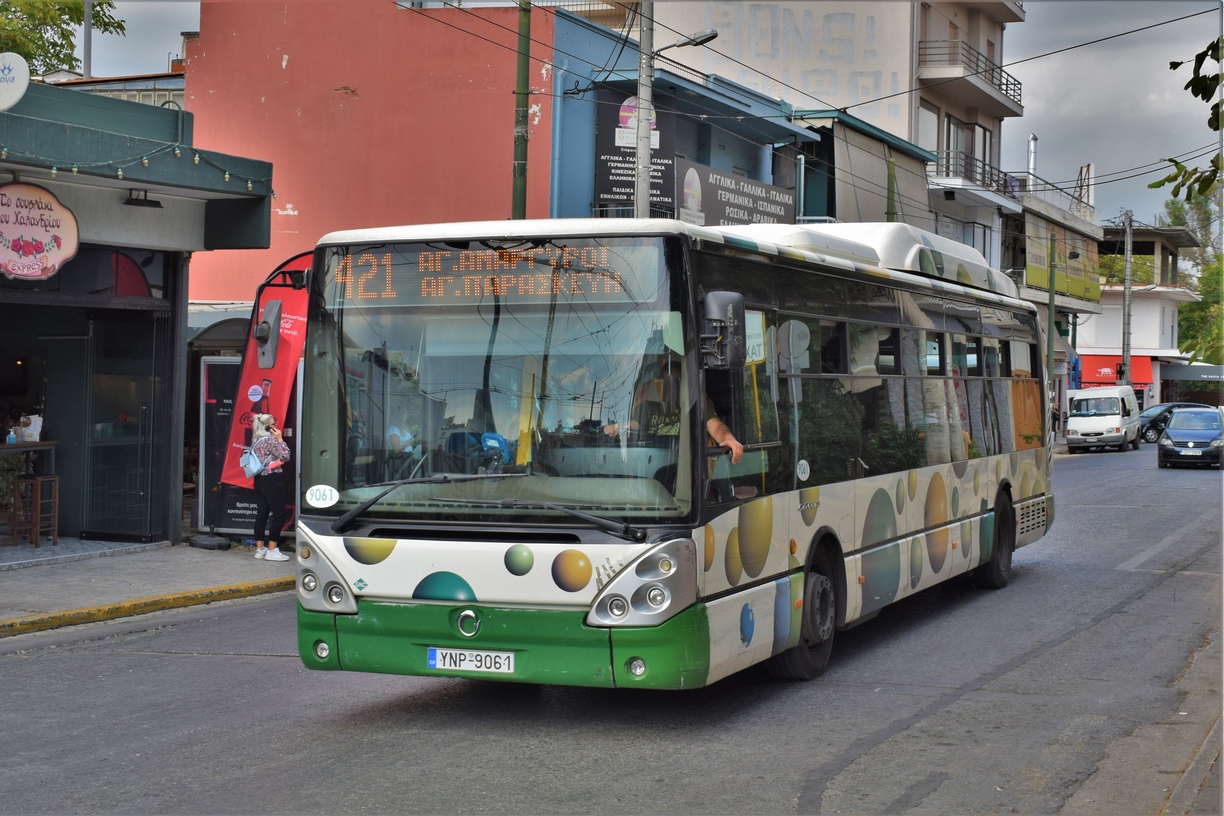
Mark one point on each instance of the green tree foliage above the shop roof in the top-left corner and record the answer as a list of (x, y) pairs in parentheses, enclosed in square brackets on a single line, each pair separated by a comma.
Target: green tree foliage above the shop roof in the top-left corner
[(43, 31)]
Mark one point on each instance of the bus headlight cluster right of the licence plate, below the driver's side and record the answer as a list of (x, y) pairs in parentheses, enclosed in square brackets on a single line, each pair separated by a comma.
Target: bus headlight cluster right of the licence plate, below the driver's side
[(657, 587)]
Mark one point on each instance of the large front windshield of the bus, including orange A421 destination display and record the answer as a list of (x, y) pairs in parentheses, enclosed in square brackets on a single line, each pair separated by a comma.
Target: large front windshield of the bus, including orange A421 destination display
[(543, 374)]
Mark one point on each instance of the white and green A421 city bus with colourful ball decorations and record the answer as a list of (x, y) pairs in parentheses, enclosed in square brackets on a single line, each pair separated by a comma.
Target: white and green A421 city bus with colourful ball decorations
[(883, 386)]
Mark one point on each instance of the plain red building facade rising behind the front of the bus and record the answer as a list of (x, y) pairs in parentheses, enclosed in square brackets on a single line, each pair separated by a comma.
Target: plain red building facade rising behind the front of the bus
[(371, 113)]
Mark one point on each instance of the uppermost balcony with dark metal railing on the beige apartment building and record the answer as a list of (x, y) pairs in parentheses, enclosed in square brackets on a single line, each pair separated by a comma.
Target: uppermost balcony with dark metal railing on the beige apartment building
[(966, 74)]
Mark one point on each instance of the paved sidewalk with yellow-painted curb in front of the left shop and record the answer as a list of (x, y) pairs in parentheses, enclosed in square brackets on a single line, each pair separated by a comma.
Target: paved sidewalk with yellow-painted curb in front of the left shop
[(84, 582)]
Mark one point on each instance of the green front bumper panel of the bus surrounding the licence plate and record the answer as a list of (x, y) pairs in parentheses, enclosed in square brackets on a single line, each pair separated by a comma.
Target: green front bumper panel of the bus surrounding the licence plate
[(553, 648)]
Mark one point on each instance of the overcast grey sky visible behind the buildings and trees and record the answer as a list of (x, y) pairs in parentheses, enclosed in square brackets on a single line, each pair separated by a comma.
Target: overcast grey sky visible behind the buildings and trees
[(1113, 105)]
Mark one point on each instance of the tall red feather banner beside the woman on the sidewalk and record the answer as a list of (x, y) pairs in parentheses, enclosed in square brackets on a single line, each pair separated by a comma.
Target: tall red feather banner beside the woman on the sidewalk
[(270, 363)]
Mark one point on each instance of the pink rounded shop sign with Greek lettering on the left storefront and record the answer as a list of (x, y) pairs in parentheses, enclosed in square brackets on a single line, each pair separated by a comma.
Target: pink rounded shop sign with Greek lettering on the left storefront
[(39, 234)]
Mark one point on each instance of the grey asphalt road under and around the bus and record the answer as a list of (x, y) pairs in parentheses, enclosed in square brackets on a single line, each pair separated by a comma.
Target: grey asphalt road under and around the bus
[(1086, 687)]
